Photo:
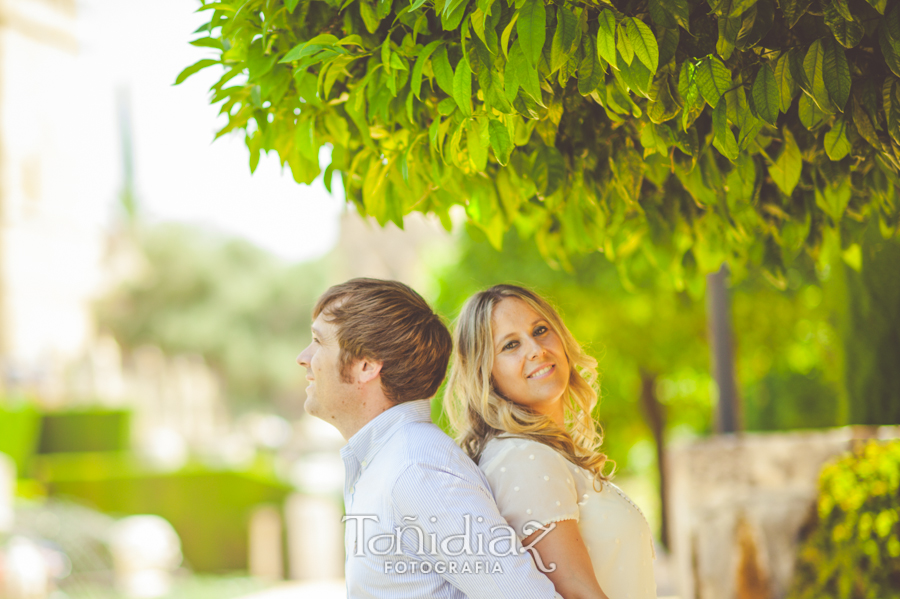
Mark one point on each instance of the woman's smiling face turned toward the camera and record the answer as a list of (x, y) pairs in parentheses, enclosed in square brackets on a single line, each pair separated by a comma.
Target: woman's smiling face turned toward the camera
[(530, 365)]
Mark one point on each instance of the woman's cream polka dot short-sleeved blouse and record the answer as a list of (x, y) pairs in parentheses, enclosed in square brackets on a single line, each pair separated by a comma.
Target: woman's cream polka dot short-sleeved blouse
[(532, 482)]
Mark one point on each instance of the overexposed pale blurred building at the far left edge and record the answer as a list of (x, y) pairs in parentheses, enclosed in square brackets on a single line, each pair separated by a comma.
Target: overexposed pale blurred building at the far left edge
[(55, 182)]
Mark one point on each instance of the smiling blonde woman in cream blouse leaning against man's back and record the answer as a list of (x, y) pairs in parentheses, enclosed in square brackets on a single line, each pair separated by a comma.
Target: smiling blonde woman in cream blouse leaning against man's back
[(522, 391)]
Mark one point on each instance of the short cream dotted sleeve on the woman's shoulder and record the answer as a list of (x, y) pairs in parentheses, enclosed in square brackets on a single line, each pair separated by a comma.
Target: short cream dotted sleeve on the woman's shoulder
[(531, 482)]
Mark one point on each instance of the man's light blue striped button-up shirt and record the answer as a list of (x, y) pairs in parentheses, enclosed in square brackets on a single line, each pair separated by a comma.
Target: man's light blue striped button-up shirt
[(406, 479)]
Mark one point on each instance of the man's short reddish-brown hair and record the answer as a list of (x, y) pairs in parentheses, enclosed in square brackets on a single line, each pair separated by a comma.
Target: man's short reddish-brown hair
[(389, 322)]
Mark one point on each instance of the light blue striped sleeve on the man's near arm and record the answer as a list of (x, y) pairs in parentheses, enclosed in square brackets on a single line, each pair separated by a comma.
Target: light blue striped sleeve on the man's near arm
[(462, 526)]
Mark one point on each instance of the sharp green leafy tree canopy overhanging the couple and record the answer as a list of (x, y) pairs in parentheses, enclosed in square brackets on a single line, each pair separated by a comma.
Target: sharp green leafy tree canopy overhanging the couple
[(689, 132)]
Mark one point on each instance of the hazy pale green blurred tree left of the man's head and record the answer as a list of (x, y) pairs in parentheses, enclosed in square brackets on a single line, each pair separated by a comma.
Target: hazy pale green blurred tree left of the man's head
[(243, 310)]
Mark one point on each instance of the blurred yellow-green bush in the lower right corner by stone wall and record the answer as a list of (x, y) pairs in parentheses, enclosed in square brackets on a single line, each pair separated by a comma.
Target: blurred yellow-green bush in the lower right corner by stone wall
[(853, 548)]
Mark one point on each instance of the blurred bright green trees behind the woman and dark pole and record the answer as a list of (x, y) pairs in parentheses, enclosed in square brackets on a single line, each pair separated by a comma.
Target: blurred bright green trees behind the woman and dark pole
[(651, 342)]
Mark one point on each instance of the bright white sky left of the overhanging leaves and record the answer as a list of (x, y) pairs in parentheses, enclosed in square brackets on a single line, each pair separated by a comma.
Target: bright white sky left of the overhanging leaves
[(180, 174)]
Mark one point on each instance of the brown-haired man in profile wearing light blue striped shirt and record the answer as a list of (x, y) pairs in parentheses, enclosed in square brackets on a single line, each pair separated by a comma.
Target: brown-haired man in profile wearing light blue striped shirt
[(421, 521)]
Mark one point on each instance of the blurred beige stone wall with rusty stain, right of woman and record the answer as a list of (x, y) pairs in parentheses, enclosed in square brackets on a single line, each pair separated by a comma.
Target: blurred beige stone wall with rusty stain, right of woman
[(738, 503)]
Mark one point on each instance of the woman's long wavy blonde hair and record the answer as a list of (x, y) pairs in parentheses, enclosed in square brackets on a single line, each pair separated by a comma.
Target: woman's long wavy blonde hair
[(479, 412)]
